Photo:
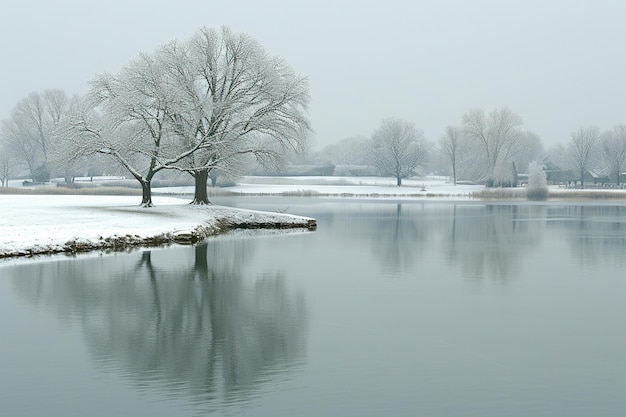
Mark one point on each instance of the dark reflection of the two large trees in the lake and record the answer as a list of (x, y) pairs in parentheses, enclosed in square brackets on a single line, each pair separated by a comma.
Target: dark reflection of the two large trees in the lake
[(188, 322)]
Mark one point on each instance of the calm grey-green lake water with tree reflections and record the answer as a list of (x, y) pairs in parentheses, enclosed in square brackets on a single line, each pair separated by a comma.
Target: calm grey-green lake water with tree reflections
[(412, 309)]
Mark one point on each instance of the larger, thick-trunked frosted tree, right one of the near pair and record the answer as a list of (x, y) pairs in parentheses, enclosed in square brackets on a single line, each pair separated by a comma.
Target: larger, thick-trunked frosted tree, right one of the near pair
[(234, 100)]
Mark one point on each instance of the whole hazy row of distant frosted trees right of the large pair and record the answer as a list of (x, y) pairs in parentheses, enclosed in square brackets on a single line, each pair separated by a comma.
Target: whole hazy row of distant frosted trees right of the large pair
[(488, 147)]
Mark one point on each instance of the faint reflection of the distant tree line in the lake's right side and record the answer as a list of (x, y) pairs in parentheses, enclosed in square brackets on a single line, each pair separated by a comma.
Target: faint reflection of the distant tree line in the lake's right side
[(485, 242)]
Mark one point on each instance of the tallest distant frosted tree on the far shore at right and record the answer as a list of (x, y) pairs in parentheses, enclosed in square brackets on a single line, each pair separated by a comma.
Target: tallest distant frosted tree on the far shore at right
[(496, 136)]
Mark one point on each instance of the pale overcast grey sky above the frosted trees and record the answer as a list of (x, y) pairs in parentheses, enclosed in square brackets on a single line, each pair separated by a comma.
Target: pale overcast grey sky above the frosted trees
[(559, 64)]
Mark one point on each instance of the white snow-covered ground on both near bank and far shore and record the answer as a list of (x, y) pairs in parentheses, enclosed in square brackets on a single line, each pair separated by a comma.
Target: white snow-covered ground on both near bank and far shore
[(34, 224)]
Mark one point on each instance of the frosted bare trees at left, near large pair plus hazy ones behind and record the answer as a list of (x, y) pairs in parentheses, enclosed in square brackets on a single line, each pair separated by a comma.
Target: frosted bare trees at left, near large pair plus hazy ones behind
[(193, 106)]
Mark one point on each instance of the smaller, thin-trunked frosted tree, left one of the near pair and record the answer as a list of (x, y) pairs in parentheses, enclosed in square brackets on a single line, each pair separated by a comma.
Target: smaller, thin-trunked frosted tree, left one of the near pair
[(127, 117)]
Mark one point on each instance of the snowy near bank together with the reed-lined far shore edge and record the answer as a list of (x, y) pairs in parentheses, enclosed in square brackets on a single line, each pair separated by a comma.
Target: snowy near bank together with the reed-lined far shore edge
[(37, 224)]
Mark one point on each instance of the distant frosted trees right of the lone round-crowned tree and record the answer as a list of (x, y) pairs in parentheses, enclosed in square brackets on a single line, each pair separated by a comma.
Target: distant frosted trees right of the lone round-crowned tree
[(485, 147)]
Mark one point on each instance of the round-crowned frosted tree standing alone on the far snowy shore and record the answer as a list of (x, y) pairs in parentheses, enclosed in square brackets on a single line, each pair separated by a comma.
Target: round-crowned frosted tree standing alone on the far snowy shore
[(398, 148)]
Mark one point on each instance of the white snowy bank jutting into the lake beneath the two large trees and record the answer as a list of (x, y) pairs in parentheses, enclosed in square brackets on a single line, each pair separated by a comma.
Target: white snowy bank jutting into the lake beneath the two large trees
[(47, 224)]
